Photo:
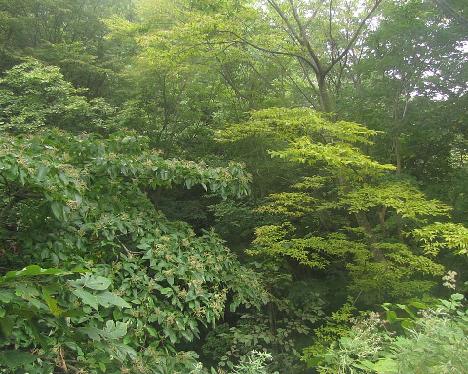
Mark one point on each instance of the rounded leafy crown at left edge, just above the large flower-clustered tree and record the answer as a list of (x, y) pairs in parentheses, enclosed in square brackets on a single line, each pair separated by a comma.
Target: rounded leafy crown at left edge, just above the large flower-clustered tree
[(33, 96)]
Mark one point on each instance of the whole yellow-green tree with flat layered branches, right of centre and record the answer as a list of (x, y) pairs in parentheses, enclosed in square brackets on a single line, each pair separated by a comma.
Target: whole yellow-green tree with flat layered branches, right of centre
[(302, 227)]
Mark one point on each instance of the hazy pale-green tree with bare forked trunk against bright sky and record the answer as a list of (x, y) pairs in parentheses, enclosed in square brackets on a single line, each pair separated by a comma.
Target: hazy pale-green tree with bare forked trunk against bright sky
[(319, 37)]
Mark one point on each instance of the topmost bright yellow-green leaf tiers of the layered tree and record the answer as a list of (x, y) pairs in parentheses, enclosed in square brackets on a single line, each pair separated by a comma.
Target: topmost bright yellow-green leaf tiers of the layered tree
[(304, 136)]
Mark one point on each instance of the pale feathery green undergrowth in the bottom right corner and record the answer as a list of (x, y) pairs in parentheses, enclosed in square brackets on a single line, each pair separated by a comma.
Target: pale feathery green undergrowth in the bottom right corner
[(431, 343)]
